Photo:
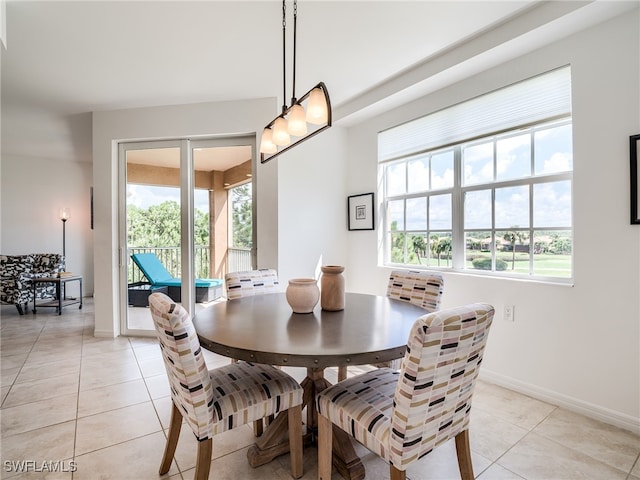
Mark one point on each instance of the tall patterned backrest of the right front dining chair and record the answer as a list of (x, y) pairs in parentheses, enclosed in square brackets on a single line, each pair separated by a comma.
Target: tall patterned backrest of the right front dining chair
[(433, 396)]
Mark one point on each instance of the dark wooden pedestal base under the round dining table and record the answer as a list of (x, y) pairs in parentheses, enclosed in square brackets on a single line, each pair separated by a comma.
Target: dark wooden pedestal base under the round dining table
[(274, 441)]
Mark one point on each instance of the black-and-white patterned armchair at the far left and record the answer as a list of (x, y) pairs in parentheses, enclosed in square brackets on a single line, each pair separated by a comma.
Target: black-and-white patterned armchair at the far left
[(16, 272)]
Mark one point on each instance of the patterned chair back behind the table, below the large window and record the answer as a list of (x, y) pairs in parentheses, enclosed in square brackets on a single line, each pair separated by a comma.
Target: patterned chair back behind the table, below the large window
[(417, 287)]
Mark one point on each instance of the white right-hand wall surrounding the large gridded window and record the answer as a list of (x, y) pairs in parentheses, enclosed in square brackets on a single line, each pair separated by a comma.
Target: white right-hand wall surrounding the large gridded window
[(577, 346)]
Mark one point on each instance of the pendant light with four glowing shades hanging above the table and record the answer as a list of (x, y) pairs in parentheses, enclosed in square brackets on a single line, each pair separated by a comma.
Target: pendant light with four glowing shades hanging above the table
[(306, 116)]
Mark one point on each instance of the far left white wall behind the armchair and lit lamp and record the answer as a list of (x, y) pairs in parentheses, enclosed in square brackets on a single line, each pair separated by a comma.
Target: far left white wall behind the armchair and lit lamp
[(33, 190)]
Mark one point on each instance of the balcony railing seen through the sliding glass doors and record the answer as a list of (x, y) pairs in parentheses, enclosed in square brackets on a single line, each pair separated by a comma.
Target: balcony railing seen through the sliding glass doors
[(238, 259)]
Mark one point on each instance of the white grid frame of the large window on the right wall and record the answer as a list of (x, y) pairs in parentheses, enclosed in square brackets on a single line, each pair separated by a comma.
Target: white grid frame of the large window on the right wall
[(458, 191)]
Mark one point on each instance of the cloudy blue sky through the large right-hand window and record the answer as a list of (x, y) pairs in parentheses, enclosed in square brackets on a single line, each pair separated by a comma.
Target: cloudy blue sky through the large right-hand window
[(552, 152)]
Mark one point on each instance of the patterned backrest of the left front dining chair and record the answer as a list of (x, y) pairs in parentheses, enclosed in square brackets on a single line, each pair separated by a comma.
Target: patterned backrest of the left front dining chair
[(191, 387)]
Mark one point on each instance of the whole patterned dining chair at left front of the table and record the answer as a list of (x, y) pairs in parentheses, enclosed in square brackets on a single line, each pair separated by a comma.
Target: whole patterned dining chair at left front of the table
[(214, 401)]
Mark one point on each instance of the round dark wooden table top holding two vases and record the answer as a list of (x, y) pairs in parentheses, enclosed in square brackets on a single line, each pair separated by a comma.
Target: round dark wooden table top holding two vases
[(264, 329)]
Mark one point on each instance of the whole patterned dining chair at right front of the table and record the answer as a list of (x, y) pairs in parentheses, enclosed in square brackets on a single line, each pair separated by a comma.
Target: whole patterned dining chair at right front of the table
[(403, 416)]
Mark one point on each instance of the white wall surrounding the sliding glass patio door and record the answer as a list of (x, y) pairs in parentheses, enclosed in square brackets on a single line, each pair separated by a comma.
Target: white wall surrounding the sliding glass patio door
[(179, 121)]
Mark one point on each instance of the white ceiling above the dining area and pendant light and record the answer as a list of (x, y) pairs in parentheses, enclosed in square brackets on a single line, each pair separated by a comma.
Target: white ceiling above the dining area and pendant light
[(64, 60)]
